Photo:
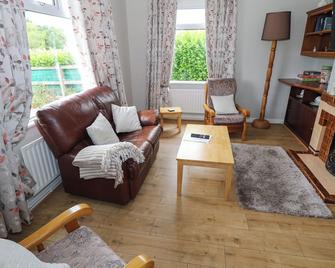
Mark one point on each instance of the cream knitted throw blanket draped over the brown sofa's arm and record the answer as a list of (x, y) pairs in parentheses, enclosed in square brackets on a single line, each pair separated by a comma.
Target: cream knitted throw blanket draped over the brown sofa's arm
[(105, 161)]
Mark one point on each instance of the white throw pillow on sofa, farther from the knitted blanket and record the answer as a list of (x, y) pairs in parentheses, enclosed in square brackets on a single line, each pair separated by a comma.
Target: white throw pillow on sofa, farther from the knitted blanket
[(125, 119)]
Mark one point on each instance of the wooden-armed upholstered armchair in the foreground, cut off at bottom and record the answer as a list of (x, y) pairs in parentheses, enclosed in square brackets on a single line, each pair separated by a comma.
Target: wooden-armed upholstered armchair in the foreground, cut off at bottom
[(81, 247)]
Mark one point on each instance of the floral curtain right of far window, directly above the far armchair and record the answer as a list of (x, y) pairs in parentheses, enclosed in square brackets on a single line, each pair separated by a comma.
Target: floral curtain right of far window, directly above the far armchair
[(221, 20)]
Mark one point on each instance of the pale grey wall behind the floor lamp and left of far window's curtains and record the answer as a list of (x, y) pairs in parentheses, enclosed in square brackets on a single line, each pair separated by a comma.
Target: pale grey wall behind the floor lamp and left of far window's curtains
[(252, 53)]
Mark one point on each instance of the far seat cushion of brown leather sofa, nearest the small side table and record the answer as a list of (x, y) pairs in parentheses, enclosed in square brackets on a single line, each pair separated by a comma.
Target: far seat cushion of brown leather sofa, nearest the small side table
[(149, 133)]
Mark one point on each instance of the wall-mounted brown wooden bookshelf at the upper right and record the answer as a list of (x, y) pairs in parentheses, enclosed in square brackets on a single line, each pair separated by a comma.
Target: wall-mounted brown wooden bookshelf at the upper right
[(321, 40)]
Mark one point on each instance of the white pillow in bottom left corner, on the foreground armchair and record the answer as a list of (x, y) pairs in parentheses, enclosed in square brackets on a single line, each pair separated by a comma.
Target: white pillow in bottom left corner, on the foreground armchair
[(14, 255)]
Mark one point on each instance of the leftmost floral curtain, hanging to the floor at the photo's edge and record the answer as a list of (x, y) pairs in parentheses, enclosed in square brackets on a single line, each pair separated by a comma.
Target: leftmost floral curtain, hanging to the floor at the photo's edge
[(15, 105)]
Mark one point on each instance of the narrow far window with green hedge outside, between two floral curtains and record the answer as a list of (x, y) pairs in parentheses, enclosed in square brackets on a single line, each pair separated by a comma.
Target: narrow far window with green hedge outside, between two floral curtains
[(190, 46)]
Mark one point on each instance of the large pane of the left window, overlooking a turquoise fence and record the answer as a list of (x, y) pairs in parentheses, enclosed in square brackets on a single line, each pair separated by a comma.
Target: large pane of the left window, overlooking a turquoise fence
[(54, 71)]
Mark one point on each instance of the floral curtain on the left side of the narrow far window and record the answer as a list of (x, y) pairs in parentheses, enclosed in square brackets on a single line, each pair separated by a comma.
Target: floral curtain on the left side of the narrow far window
[(160, 45)]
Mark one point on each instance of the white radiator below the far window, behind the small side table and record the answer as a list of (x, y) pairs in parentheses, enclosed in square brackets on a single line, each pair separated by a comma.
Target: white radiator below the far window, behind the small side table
[(190, 100)]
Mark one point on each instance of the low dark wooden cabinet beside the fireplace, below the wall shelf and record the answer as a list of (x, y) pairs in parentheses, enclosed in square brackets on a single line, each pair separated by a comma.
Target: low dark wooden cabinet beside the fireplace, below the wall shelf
[(300, 115)]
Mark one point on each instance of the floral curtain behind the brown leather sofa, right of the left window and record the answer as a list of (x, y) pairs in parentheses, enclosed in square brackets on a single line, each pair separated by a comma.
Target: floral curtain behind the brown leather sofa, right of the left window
[(96, 41)]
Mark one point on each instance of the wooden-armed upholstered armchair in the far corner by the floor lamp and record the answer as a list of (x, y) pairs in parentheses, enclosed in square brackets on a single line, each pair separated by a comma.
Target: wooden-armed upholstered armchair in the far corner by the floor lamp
[(234, 122)]
